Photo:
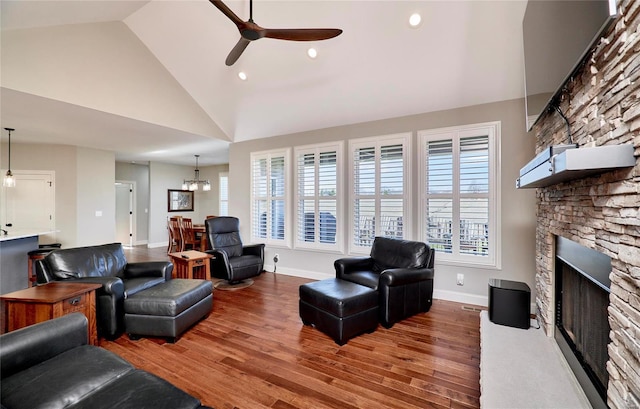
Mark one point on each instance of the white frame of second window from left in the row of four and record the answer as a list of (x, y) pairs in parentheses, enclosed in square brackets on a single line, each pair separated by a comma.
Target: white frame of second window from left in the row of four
[(338, 246)]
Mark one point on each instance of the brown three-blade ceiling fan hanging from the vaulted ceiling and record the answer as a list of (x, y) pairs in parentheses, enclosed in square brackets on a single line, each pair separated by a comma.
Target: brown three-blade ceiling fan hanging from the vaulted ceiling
[(250, 31)]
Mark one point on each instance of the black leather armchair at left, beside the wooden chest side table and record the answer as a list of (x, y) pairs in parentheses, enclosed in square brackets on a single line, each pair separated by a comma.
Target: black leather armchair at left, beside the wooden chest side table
[(107, 265)]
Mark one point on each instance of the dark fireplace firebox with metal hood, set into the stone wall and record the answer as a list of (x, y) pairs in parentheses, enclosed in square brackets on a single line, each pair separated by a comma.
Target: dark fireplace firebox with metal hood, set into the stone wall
[(581, 322)]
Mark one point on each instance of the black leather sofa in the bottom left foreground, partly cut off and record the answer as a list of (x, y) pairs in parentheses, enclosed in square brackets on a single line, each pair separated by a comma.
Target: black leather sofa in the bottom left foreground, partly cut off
[(49, 365)]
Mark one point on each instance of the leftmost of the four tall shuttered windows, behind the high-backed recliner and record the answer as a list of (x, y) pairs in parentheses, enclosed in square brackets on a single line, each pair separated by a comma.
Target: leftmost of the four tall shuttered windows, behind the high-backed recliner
[(269, 197)]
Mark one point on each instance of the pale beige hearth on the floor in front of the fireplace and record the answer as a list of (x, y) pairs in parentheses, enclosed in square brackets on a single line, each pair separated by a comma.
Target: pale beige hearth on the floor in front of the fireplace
[(524, 369)]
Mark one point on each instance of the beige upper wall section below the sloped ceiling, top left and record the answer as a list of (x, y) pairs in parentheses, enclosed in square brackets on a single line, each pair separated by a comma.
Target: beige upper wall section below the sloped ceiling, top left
[(103, 66)]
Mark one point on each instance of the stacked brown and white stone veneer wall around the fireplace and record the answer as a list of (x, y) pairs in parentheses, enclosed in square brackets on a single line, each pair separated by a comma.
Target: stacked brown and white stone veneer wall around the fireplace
[(602, 103)]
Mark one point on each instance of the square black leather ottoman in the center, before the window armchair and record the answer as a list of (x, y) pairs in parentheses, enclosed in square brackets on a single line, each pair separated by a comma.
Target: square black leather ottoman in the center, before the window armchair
[(340, 309)]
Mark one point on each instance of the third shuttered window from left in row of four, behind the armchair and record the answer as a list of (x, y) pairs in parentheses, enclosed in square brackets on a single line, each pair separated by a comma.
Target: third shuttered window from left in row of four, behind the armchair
[(379, 189)]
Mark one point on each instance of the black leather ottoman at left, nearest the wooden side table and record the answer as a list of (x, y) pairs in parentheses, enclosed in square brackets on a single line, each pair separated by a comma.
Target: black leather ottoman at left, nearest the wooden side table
[(167, 309)]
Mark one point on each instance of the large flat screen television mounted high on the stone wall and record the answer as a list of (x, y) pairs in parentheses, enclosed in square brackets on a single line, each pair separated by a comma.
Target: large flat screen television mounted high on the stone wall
[(557, 36)]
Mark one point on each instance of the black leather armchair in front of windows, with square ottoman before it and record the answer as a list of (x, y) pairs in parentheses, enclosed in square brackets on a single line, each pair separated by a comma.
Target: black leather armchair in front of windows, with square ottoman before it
[(402, 273)]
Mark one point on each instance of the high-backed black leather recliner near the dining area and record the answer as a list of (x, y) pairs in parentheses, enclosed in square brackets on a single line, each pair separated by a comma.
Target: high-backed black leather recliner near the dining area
[(233, 261)]
